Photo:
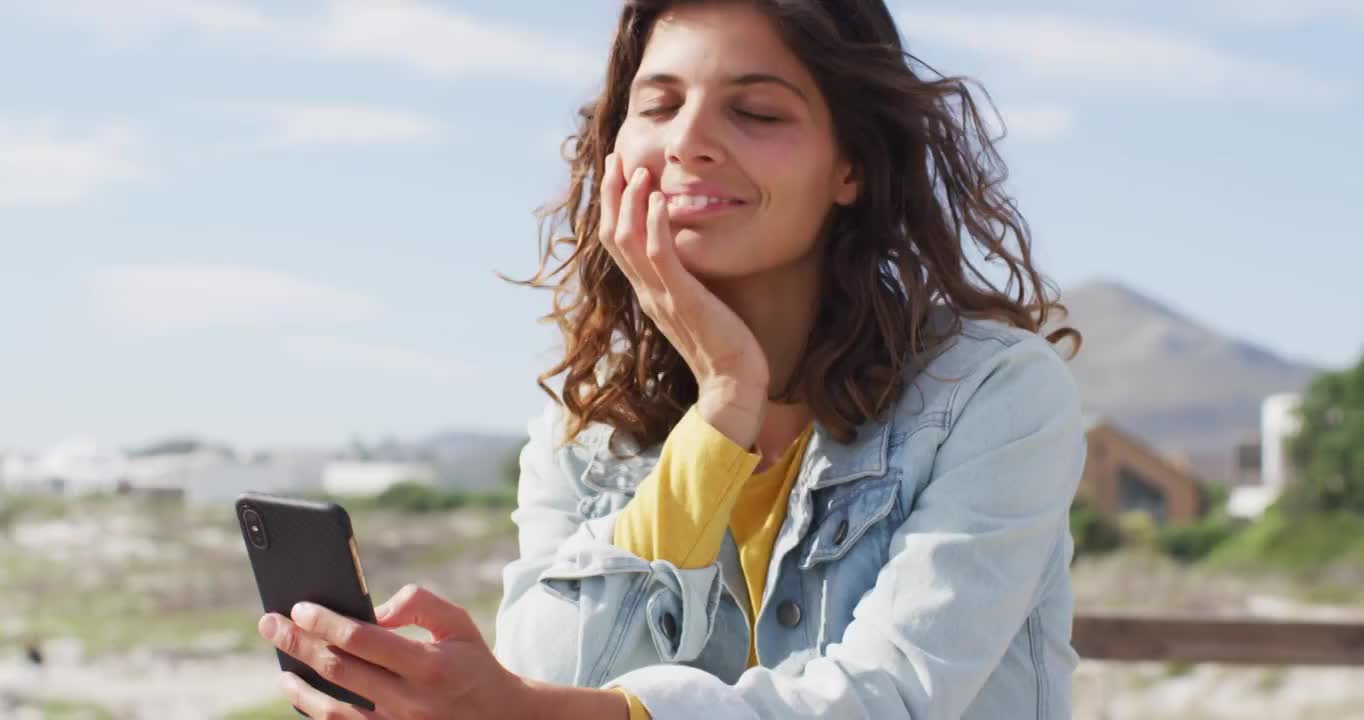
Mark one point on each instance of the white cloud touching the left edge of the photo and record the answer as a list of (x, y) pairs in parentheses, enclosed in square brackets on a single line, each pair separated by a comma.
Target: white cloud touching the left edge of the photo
[(42, 166)]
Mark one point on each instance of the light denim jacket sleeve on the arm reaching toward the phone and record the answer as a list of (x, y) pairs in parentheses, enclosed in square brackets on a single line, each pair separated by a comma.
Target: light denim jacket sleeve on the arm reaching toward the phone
[(964, 572)]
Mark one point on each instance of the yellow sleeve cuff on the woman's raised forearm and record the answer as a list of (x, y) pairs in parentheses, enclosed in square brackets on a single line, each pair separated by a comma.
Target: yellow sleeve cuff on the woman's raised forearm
[(681, 511)]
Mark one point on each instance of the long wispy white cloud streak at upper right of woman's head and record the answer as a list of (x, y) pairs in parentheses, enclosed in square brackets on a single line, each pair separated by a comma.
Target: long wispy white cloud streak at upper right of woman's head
[(1119, 59)]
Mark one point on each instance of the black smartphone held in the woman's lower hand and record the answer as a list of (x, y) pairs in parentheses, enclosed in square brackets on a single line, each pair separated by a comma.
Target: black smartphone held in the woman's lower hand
[(305, 550)]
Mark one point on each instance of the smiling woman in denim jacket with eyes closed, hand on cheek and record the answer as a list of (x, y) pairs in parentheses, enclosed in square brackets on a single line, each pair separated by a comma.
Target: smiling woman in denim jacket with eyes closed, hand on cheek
[(810, 462)]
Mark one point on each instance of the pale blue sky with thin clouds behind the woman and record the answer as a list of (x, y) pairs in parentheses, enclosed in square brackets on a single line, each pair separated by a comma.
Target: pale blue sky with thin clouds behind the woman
[(280, 227)]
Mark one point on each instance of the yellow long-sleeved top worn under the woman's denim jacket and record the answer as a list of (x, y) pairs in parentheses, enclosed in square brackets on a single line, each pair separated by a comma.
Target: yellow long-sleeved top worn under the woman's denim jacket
[(702, 485)]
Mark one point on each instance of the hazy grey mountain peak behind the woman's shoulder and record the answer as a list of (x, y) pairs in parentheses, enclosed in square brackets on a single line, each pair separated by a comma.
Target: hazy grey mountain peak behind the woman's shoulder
[(1176, 384)]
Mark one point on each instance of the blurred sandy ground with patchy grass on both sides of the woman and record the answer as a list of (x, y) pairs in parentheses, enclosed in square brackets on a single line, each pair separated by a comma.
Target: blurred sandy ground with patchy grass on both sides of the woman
[(148, 612)]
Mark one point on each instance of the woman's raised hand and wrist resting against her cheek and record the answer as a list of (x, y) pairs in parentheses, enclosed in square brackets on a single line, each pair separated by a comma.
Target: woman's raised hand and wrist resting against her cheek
[(724, 354)]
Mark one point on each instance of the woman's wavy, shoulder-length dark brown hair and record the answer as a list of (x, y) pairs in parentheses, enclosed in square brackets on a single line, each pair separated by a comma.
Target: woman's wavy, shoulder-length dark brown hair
[(932, 194)]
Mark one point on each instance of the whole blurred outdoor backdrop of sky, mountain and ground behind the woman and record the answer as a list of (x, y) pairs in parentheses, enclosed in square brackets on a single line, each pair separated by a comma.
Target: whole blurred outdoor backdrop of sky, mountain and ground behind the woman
[(252, 245)]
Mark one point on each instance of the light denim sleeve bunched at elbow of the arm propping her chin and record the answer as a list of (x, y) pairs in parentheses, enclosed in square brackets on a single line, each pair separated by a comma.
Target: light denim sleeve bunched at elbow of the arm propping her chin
[(578, 609)]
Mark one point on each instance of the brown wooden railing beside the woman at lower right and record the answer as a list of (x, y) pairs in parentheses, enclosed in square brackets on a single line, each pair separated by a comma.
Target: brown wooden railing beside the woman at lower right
[(1239, 642)]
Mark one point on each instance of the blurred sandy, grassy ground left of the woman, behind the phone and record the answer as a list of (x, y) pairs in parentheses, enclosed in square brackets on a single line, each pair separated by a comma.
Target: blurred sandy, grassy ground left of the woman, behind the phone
[(143, 610)]
